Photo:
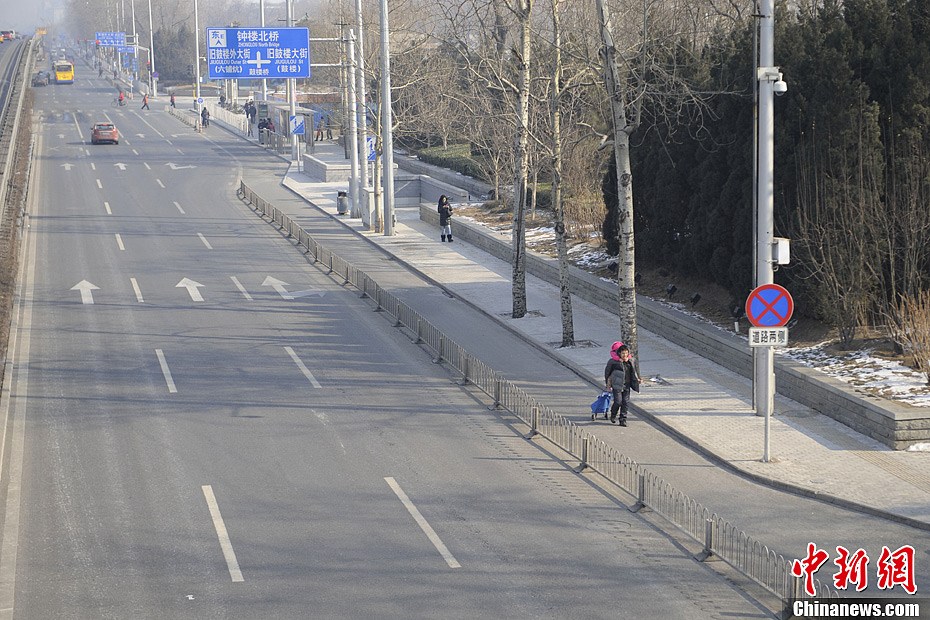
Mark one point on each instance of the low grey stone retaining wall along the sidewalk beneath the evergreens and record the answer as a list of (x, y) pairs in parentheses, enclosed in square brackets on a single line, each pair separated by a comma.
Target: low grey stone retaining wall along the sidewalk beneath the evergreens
[(895, 425)]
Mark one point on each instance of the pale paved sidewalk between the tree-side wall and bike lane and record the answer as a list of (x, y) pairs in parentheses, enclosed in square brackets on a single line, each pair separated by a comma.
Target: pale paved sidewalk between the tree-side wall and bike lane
[(702, 404)]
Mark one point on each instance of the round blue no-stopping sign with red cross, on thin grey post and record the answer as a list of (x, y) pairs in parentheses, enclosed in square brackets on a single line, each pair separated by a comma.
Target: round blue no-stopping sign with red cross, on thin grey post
[(769, 308)]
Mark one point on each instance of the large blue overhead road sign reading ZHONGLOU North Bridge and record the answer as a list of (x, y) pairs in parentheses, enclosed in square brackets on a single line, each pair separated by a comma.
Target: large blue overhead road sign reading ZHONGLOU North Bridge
[(251, 53)]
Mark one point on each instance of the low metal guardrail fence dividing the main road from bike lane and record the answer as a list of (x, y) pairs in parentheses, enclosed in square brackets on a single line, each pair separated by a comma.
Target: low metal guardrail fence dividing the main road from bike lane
[(720, 539)]
